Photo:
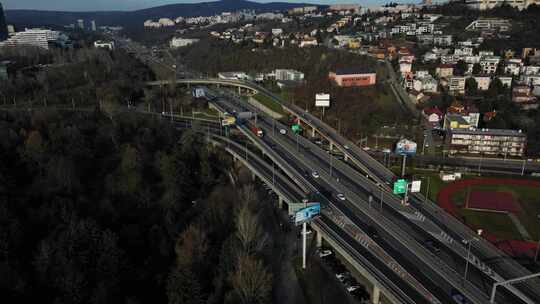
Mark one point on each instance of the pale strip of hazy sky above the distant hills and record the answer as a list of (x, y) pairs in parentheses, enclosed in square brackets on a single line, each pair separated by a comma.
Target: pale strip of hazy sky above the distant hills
[(86, 5)]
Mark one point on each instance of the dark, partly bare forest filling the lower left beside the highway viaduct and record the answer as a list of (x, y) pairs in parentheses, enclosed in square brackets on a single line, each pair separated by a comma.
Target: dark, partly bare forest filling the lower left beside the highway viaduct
[(126, 210)]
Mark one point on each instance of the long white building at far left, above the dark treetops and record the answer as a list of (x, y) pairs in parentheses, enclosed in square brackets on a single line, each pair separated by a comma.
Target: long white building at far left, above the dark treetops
[(34, 37)]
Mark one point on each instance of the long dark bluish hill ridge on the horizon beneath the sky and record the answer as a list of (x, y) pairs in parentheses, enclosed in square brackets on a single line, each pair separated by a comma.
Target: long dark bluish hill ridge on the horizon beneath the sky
[(134, 18)]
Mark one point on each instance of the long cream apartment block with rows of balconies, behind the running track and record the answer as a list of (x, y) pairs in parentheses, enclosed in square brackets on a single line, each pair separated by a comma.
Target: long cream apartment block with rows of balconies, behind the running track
[(488, 142)]
